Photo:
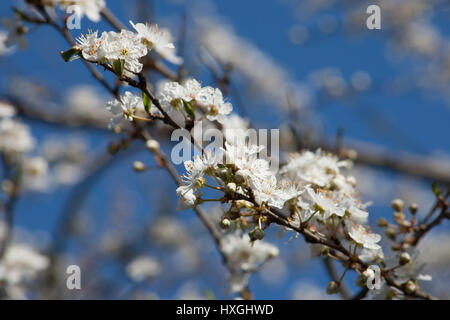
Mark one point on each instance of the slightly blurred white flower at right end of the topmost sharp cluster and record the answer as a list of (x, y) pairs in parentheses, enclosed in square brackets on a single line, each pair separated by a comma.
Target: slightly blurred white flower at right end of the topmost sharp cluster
[(158, 39)]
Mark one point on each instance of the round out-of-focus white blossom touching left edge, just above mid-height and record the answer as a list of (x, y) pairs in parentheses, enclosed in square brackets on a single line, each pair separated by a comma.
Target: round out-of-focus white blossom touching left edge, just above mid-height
[(15, 137)]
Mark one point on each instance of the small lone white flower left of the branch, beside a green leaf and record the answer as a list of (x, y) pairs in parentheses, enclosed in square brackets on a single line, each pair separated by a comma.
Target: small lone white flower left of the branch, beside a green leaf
[(124, 109)]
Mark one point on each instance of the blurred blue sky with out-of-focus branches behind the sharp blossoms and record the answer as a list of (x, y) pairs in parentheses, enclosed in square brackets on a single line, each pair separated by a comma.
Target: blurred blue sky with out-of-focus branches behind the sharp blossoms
[(310, 68)]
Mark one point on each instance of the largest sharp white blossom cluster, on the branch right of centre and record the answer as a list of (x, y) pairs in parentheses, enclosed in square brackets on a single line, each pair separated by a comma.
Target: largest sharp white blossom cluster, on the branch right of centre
[(309, 190)]
